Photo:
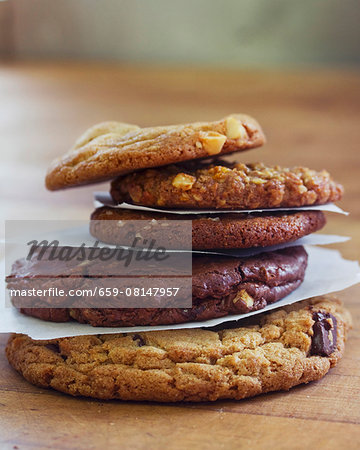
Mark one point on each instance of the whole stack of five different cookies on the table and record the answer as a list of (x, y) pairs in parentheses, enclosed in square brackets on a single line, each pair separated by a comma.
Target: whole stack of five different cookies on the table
[(176, 173)]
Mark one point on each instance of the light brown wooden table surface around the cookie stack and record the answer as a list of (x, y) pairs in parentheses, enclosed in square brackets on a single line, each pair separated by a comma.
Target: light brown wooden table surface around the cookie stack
[(310, 118)]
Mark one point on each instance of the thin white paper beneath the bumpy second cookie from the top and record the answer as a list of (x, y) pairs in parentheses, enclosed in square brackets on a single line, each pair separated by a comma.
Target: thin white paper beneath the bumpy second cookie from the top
[(104, 199)]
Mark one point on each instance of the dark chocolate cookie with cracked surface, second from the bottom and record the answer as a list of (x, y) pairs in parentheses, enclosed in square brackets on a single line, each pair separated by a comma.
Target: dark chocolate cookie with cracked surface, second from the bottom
[(220, 286)]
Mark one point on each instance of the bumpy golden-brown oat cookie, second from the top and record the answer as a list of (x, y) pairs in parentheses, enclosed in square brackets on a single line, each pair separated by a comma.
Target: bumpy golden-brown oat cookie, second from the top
[(226, 186)]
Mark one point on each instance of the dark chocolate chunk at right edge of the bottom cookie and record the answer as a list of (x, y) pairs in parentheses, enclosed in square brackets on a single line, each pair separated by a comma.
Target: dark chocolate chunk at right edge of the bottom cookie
[(324, 337)]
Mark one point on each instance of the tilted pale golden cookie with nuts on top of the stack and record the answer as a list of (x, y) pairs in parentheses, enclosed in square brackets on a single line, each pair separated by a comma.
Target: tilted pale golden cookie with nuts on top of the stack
[(111, 149)]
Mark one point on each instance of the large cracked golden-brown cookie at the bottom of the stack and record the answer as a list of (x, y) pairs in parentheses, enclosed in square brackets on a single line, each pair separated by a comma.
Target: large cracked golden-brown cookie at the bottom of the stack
[(188, 364)]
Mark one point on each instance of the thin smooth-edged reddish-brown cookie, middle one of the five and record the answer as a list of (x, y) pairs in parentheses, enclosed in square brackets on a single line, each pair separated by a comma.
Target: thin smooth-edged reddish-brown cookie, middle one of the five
[(225, 231)]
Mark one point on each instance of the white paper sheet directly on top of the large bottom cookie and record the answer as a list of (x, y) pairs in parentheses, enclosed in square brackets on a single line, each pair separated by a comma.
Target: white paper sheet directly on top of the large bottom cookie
[(327, 272)]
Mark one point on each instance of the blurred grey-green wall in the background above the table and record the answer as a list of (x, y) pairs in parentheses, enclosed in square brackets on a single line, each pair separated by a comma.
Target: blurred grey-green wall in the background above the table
[(235, 33)]
